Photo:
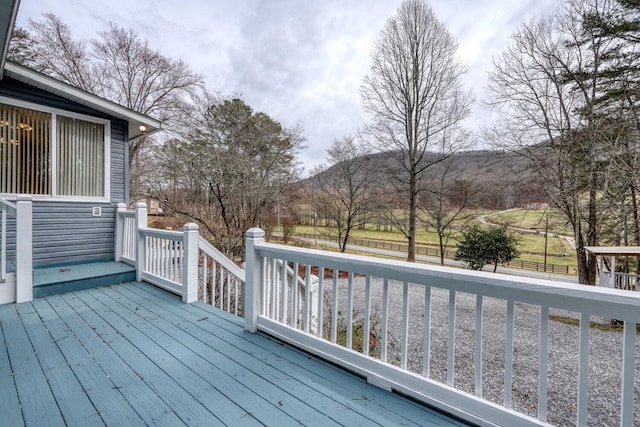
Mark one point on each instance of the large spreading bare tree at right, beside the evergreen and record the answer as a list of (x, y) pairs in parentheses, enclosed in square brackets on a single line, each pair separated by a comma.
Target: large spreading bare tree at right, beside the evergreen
[(547, 86)]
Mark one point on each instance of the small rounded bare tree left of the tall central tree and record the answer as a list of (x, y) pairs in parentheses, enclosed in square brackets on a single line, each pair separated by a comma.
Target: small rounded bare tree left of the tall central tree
[(344, 191)]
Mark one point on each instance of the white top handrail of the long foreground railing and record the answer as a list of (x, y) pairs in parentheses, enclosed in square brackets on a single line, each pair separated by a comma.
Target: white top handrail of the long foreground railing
[(597, 301)]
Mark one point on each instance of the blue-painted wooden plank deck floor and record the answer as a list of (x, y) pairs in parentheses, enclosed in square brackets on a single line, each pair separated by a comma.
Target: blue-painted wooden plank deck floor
[(133, 354)]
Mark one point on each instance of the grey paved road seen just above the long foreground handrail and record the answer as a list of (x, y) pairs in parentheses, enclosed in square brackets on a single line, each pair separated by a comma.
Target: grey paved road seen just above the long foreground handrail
[(450, 262)]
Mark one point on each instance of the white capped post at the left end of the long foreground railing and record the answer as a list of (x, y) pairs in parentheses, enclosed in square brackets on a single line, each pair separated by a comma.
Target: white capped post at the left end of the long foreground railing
[(253, 278)]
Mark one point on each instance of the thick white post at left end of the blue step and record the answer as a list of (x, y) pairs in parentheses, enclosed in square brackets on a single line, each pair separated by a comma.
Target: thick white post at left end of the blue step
[(24, 249)]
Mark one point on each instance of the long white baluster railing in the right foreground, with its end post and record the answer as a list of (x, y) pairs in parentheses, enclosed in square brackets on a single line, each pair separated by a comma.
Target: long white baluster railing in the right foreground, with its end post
[(399, 290)]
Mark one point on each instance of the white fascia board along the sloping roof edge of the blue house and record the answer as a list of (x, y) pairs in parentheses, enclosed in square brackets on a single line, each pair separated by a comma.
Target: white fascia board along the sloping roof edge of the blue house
[(49, 84)]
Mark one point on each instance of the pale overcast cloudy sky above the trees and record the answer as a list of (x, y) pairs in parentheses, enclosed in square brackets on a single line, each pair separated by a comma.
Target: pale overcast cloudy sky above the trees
[(301, 62)]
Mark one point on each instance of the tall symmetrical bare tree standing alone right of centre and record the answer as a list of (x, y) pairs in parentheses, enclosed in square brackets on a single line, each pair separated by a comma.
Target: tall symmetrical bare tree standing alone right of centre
[(415, 99)]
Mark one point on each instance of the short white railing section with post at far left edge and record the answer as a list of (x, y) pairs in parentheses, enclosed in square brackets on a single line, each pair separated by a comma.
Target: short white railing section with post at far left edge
[(22, 211)]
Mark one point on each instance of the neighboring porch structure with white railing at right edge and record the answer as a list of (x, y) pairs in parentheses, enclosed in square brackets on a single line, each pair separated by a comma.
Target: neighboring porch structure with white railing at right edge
[(617, 280)]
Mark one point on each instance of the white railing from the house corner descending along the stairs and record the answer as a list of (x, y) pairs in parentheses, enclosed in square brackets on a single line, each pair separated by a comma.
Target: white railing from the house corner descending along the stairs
[(182, 261)]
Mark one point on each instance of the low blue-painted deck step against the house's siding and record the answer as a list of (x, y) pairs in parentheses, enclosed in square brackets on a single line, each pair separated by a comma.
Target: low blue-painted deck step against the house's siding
[(52, 280)]
